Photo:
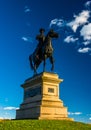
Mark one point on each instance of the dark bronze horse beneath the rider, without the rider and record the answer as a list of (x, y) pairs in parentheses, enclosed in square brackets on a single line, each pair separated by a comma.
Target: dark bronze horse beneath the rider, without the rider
[(46, 51)]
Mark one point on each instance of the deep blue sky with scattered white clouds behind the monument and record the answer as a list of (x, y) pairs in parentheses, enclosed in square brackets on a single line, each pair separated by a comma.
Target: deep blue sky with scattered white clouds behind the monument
[(20, 21)]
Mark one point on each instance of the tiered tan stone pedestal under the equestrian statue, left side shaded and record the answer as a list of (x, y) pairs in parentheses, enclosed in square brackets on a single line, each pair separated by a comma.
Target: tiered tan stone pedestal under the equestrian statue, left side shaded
[(41, 98)]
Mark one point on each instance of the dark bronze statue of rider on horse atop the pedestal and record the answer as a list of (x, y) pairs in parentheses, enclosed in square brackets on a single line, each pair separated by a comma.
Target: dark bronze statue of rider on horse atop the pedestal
[(43, 50)]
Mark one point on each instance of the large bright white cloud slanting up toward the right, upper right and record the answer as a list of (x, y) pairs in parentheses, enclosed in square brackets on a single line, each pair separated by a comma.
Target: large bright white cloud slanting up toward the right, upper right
[(80, 19)]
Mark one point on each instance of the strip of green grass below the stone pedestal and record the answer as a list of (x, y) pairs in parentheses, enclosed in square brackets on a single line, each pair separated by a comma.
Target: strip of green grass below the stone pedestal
[(43, 125)]
